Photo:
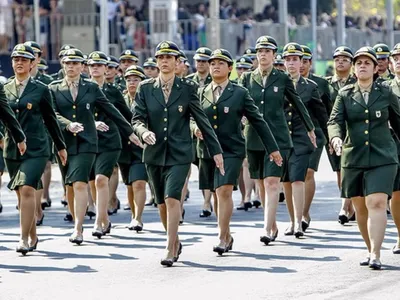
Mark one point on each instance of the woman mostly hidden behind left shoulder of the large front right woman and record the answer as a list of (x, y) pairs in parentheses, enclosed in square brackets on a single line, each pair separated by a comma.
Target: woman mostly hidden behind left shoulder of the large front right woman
[(342, 59)]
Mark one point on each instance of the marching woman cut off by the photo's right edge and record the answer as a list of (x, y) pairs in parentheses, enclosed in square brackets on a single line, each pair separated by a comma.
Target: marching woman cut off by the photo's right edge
[(395, 201)]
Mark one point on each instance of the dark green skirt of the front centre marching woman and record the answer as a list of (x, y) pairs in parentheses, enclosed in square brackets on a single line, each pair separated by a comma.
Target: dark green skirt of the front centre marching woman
[(167, 181)]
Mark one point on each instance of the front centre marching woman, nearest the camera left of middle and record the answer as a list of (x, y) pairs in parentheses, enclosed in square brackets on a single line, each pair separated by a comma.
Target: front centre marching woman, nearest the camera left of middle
[(168, 153)]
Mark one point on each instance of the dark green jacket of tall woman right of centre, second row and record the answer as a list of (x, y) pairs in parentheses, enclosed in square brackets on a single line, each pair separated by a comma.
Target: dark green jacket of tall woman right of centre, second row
[(270, 101)]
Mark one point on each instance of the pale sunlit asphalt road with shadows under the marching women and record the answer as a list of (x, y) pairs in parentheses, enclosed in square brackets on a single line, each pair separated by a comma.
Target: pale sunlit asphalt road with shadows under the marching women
[(125, 265)]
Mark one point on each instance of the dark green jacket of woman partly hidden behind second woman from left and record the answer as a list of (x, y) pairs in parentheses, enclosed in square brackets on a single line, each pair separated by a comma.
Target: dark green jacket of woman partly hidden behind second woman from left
[(111, 140)]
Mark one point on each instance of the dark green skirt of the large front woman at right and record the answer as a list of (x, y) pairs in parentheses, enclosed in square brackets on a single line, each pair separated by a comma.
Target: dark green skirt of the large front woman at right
[(357, 182)]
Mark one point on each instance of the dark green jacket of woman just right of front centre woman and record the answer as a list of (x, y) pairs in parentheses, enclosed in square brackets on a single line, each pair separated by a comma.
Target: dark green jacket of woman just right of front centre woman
[(225, 116)]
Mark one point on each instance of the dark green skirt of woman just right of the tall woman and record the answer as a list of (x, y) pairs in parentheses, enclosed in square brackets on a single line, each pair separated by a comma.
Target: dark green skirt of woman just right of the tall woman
[(297, 168)]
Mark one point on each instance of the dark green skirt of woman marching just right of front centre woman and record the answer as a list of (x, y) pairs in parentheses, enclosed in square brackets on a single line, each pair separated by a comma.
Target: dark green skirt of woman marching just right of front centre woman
[(210, 178)]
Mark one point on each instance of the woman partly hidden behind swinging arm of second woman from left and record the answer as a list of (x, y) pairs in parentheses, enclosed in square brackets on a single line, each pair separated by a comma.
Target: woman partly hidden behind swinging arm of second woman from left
[(109, 143)]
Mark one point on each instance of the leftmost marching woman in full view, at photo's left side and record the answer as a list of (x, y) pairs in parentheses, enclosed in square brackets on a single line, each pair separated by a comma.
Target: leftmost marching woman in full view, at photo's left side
[(32, 104)]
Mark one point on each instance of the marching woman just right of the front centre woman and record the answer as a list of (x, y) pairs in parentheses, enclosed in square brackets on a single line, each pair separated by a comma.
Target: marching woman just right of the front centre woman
[(225, 104)]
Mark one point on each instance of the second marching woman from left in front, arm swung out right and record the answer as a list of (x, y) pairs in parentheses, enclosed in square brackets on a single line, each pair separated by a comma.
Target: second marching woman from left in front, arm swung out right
[(75, 100)]
